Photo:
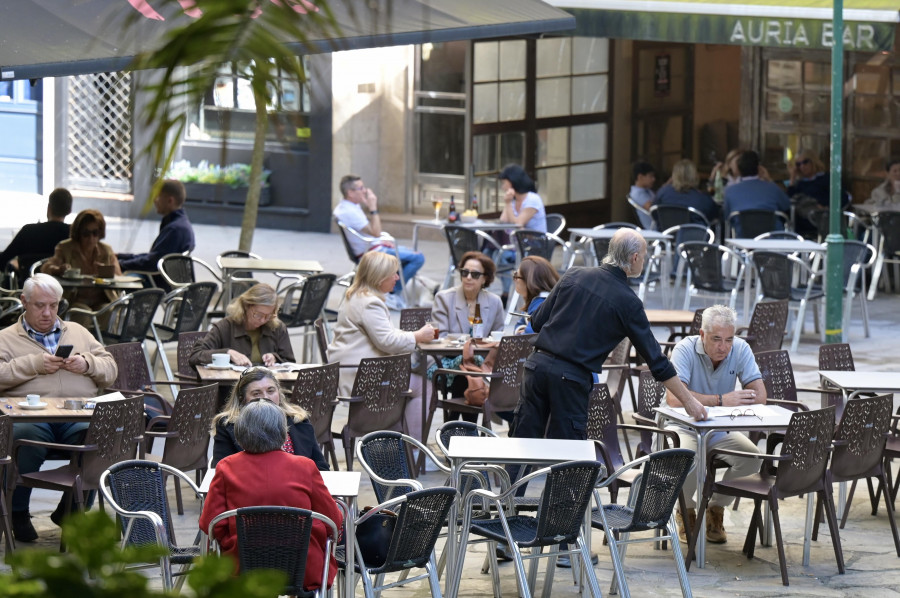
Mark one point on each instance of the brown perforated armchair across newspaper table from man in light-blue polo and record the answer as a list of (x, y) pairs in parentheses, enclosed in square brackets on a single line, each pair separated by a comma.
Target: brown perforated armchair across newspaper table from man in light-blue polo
[(802, 469)]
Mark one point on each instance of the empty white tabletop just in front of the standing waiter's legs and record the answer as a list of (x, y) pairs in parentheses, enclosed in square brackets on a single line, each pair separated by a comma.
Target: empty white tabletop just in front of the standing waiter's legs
[(520, 450)]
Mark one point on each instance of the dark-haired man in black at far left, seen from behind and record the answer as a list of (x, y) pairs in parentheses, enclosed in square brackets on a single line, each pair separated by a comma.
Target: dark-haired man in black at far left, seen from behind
[(38, 241)]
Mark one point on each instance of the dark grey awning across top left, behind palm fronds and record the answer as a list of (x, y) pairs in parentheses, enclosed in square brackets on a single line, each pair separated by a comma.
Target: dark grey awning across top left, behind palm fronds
[(49, 38)]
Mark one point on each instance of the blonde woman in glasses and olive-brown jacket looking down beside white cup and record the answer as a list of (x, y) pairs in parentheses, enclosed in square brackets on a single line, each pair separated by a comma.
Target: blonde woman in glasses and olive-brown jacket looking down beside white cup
[(250, 332)]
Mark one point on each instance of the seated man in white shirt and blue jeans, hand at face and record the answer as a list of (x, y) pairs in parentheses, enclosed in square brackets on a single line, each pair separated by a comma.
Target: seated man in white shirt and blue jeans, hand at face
[(350, 213)]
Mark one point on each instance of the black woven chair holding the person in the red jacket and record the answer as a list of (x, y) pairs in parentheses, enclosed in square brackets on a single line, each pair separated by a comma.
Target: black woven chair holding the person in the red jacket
[(270, 537)]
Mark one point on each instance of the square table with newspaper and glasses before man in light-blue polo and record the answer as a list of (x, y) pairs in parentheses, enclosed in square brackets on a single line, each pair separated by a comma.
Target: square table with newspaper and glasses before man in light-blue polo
[(773, 418)]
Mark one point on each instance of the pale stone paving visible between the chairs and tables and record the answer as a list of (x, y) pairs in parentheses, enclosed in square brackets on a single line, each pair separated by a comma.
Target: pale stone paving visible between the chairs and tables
[(872, 564)]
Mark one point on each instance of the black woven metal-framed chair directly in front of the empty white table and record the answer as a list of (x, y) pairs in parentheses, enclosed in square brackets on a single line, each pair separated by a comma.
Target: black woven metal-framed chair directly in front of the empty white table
[(565, 498)]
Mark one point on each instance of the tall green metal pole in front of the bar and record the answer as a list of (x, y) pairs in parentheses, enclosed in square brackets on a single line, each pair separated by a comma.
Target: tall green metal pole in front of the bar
[(834, 292)]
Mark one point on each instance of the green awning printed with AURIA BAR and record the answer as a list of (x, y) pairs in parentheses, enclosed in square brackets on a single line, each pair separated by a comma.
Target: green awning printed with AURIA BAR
[(869, 25)]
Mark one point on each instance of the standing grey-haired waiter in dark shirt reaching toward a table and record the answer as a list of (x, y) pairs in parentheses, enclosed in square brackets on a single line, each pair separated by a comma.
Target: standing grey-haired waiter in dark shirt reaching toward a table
[(588, 313)]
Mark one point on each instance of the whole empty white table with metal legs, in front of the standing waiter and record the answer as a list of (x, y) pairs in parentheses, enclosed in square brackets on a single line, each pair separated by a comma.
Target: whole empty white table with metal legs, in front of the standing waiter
[(503, 451)]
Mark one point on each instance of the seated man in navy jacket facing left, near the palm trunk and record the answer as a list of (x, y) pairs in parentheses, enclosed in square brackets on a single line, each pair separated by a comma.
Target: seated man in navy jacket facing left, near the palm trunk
[(176, 235)]
